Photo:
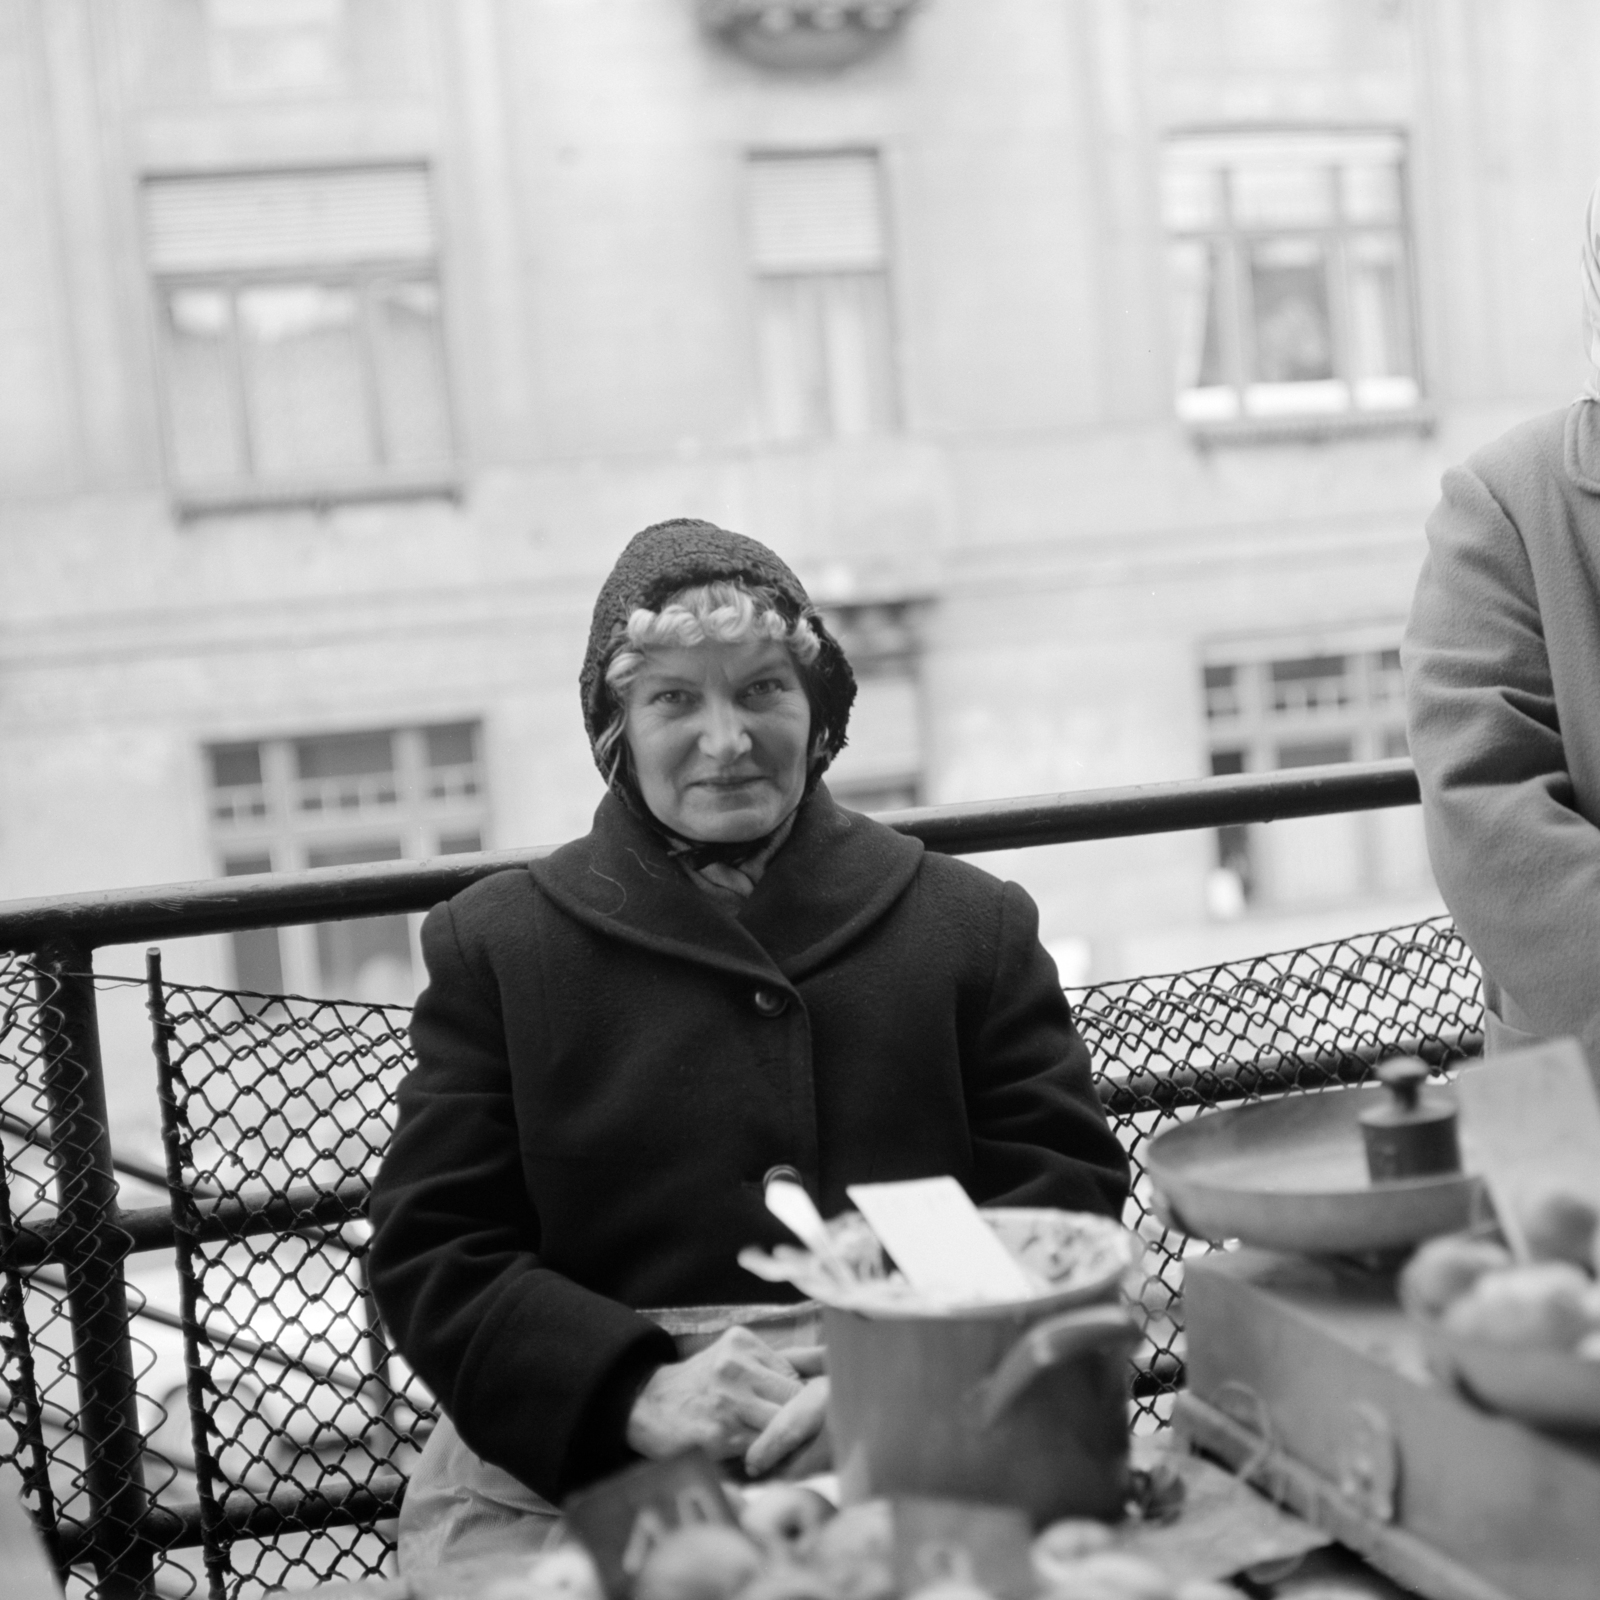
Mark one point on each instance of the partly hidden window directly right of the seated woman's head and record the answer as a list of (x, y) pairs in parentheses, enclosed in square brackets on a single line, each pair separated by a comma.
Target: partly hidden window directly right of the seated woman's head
[(882, 766)]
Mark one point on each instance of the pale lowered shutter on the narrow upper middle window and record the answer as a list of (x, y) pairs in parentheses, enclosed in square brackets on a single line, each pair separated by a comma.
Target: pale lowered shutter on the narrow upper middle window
[(817, 214)]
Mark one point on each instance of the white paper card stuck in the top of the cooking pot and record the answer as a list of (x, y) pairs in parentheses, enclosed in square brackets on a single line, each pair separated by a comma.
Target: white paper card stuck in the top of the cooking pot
[(940, 1242)]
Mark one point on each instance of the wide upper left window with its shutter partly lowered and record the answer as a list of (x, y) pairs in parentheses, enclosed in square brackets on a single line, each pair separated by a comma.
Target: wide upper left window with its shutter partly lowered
[(300, 335)]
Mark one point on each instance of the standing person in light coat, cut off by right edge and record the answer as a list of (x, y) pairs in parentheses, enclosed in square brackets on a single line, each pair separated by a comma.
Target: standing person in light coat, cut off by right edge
[(1502, 663)]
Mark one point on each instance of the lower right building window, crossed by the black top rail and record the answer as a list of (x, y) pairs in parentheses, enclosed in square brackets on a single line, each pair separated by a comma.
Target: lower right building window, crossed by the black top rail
[(1282, 705)]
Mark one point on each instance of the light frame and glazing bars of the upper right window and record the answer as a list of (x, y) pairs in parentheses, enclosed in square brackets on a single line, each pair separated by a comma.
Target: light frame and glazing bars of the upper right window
[(1234, 244)]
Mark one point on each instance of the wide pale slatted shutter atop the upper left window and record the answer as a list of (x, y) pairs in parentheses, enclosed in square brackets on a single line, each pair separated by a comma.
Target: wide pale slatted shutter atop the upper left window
[(289, 220)]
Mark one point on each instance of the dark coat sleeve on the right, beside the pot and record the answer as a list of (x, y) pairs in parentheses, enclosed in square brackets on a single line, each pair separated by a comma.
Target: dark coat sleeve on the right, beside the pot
[(1039, 1132)]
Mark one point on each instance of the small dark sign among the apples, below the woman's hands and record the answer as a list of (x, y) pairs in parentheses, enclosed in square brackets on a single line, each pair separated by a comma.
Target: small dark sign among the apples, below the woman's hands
[(625, 1518)]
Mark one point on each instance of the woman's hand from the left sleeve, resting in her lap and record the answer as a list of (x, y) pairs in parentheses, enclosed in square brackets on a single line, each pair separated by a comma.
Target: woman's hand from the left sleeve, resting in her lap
[(722, 1399)]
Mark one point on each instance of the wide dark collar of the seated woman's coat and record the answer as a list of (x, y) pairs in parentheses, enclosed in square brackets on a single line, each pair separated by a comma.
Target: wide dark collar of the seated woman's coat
[(834, 878)]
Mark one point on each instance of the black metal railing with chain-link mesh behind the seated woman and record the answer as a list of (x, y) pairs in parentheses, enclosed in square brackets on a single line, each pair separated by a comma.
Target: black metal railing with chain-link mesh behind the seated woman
[(274, 1111)]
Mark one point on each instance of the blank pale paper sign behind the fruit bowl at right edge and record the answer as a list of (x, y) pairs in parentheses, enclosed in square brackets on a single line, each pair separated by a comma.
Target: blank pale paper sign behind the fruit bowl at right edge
[(1530, 1122)]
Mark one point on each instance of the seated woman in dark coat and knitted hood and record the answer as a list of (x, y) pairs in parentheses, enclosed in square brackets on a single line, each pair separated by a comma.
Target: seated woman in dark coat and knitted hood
[(617, 1046)]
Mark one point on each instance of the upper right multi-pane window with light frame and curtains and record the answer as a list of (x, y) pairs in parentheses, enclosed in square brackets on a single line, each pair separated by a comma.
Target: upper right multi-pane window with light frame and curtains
[(1290, 271)]
